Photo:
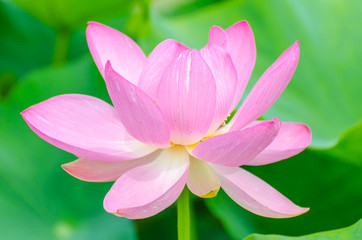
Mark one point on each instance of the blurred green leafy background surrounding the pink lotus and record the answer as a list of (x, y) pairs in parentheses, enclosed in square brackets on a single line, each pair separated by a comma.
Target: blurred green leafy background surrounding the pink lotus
[(43, 53)]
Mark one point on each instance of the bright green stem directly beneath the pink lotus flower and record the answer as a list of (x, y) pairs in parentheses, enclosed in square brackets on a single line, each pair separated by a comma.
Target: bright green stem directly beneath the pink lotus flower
[(183, 215)]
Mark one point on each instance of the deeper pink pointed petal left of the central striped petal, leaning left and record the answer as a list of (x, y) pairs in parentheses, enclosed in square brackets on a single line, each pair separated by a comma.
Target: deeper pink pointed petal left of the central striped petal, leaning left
[(139, 114)]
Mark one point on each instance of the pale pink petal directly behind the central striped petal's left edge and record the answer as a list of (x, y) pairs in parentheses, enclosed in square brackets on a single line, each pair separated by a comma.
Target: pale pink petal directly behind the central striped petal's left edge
[(159, 59)]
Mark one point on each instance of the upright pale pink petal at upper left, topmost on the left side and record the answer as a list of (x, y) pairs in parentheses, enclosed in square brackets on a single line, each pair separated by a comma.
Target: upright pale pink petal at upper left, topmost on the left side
[(106, 43)]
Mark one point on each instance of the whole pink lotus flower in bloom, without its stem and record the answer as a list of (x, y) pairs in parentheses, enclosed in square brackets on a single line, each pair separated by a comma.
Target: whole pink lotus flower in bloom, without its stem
[(163, 132)]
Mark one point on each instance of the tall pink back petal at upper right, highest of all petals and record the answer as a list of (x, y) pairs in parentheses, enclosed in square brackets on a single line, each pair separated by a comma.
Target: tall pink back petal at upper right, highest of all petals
[(241, 45)]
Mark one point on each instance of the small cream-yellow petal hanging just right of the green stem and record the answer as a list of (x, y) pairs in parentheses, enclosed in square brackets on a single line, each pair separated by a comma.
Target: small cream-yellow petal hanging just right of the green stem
[(202, 180)]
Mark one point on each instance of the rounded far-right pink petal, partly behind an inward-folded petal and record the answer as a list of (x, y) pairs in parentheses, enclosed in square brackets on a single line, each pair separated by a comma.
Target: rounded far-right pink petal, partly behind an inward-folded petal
[(291, 140)]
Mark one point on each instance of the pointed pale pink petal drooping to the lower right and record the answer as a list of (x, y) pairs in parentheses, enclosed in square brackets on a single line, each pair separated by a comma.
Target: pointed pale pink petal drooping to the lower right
[(254, 194)]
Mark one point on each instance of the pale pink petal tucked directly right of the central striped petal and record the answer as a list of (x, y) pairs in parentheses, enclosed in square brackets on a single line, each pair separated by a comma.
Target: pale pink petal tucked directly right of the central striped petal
[(225, 76)]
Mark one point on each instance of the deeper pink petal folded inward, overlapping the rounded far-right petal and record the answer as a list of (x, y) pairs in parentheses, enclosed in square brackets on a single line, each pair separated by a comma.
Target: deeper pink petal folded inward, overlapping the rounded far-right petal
[(238, 147)]
